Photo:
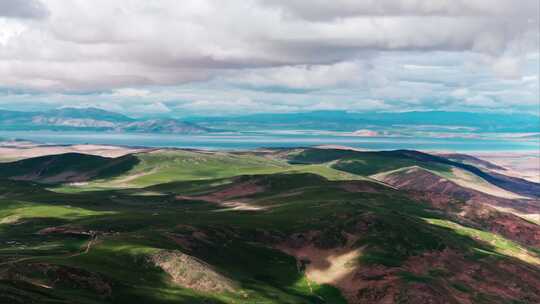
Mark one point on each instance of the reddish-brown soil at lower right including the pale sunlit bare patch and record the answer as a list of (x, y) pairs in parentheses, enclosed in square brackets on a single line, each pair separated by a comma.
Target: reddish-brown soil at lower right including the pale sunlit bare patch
[(440, 277)]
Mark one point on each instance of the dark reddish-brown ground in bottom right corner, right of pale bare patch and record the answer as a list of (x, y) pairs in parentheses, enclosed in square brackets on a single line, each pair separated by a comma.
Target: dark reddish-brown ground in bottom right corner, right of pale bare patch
[(445, 277)]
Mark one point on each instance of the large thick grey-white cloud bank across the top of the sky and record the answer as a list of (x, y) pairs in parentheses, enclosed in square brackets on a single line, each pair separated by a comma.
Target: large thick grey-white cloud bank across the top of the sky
[(102, 44)]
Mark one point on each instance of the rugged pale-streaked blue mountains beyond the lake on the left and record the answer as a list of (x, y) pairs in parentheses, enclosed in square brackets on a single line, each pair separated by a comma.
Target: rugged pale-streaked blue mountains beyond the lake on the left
[(93, 119)]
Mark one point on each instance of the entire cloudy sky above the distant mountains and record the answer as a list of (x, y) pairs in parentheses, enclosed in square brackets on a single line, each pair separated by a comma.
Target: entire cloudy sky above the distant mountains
[(215, 57)]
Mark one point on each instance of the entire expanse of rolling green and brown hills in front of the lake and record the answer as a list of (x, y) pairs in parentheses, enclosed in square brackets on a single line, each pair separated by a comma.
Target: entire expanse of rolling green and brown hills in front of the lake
[(276, 226)]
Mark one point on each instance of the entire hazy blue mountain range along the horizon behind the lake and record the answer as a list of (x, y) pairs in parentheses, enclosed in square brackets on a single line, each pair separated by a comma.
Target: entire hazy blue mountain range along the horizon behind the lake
[(93, 119)]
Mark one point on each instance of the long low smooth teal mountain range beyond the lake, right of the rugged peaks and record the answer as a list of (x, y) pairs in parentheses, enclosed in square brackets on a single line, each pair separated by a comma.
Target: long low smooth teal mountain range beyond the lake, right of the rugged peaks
[(350, 121)]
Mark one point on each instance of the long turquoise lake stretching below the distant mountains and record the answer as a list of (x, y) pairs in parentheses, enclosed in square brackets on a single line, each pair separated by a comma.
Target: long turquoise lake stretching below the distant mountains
[(244, 141)]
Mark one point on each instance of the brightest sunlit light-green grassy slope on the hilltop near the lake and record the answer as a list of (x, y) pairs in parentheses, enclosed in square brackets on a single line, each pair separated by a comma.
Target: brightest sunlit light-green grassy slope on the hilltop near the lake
[(180, 165)]
